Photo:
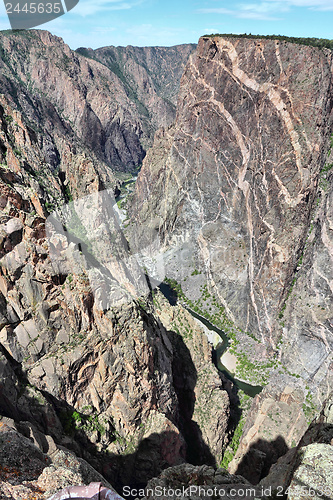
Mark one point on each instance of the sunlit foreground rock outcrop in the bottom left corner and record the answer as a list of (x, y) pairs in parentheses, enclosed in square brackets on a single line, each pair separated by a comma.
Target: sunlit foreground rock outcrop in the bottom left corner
[(35, 468)]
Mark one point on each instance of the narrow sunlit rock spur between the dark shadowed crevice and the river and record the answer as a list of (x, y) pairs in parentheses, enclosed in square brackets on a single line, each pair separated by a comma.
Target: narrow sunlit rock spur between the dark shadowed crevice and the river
[(203, 402)]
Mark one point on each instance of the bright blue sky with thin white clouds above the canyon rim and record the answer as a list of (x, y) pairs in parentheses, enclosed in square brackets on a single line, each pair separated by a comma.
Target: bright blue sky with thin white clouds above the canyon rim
[(96, 23)]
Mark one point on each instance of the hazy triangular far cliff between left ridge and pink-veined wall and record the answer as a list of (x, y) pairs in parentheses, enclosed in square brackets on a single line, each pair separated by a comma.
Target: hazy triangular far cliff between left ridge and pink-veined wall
[(151, 78)]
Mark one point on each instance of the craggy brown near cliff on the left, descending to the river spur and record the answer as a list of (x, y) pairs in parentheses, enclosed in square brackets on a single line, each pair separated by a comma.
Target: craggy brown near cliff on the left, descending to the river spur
[(101, 377)]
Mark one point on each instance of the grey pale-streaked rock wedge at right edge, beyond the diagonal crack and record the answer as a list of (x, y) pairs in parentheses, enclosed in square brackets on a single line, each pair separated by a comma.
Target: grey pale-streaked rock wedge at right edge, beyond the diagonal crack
[(306, 326)]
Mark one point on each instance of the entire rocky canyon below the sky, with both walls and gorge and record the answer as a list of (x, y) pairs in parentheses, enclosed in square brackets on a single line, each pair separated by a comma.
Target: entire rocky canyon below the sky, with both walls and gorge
[(106, 372)]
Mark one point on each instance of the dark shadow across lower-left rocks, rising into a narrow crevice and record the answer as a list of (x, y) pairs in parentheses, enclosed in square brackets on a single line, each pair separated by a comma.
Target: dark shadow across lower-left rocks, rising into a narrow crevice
[(37, 413)]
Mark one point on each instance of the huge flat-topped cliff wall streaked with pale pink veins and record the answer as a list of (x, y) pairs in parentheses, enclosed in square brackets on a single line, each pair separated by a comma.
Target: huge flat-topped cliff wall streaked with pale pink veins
[(231, 187)]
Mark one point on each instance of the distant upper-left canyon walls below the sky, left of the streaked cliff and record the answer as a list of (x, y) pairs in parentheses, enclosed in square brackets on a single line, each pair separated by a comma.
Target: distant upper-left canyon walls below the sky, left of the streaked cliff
[(106, 110)]
